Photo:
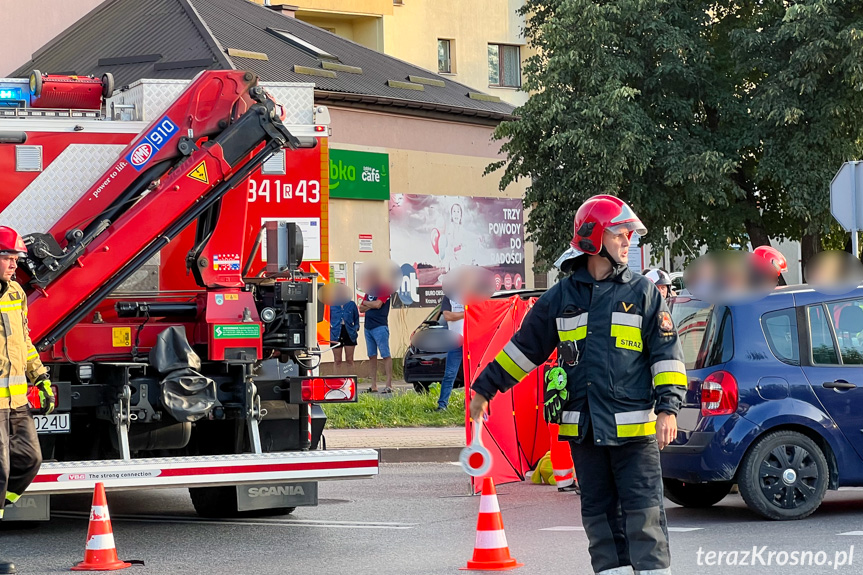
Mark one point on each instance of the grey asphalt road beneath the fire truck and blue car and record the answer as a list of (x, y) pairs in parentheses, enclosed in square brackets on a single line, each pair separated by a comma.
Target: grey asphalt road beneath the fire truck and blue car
[(418, 519)]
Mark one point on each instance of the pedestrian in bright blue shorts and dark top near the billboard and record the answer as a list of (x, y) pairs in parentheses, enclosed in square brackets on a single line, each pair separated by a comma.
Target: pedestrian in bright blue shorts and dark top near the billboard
[(376, 307)]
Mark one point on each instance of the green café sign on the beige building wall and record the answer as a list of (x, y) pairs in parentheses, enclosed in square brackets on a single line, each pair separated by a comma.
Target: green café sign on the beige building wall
[(359, 175)]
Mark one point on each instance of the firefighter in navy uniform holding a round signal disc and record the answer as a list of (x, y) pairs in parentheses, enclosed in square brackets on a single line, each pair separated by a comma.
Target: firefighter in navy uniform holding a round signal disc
[(625, 381)]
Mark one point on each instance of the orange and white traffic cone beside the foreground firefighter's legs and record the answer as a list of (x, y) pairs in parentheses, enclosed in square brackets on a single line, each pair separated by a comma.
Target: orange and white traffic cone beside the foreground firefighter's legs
[(490, 553)]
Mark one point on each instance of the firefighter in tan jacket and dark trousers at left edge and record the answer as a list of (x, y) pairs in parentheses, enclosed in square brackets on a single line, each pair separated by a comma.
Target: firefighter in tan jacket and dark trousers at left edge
[(20, 455)]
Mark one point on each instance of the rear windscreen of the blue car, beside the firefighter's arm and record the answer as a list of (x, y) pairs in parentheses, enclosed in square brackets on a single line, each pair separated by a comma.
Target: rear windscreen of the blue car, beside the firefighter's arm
[(705, 331)]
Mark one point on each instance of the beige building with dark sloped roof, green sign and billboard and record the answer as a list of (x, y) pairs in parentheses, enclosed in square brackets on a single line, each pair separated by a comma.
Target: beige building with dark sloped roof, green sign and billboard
[(407, 149)]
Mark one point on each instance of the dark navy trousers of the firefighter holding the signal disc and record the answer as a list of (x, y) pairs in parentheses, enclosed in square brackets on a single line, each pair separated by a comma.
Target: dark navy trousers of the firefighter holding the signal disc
[(621, 506)]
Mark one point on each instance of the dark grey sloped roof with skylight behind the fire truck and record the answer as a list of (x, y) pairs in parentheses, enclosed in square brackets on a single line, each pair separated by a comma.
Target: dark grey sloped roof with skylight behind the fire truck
[(178, 38)]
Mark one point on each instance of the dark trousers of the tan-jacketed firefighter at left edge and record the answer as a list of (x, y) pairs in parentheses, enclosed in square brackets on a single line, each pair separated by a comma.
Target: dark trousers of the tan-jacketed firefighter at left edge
[(20, 454)]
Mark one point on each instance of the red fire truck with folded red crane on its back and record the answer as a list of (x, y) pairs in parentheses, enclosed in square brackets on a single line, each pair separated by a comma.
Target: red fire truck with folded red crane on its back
[(175, 233)]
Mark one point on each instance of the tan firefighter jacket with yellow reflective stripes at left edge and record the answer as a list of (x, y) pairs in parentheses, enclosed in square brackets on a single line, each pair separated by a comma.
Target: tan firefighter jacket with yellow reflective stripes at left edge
[(19, 360)]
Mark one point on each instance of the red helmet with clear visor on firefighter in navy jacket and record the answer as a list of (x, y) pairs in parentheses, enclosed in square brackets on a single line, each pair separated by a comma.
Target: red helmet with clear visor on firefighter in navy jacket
[(601, 213)]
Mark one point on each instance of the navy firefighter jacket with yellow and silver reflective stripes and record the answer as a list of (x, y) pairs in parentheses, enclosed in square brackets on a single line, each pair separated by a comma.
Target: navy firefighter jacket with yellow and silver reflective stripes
[(630, 365)]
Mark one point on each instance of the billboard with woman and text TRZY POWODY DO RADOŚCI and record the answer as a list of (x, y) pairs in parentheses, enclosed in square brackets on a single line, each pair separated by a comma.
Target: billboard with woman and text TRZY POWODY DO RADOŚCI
[(430, 235)]
